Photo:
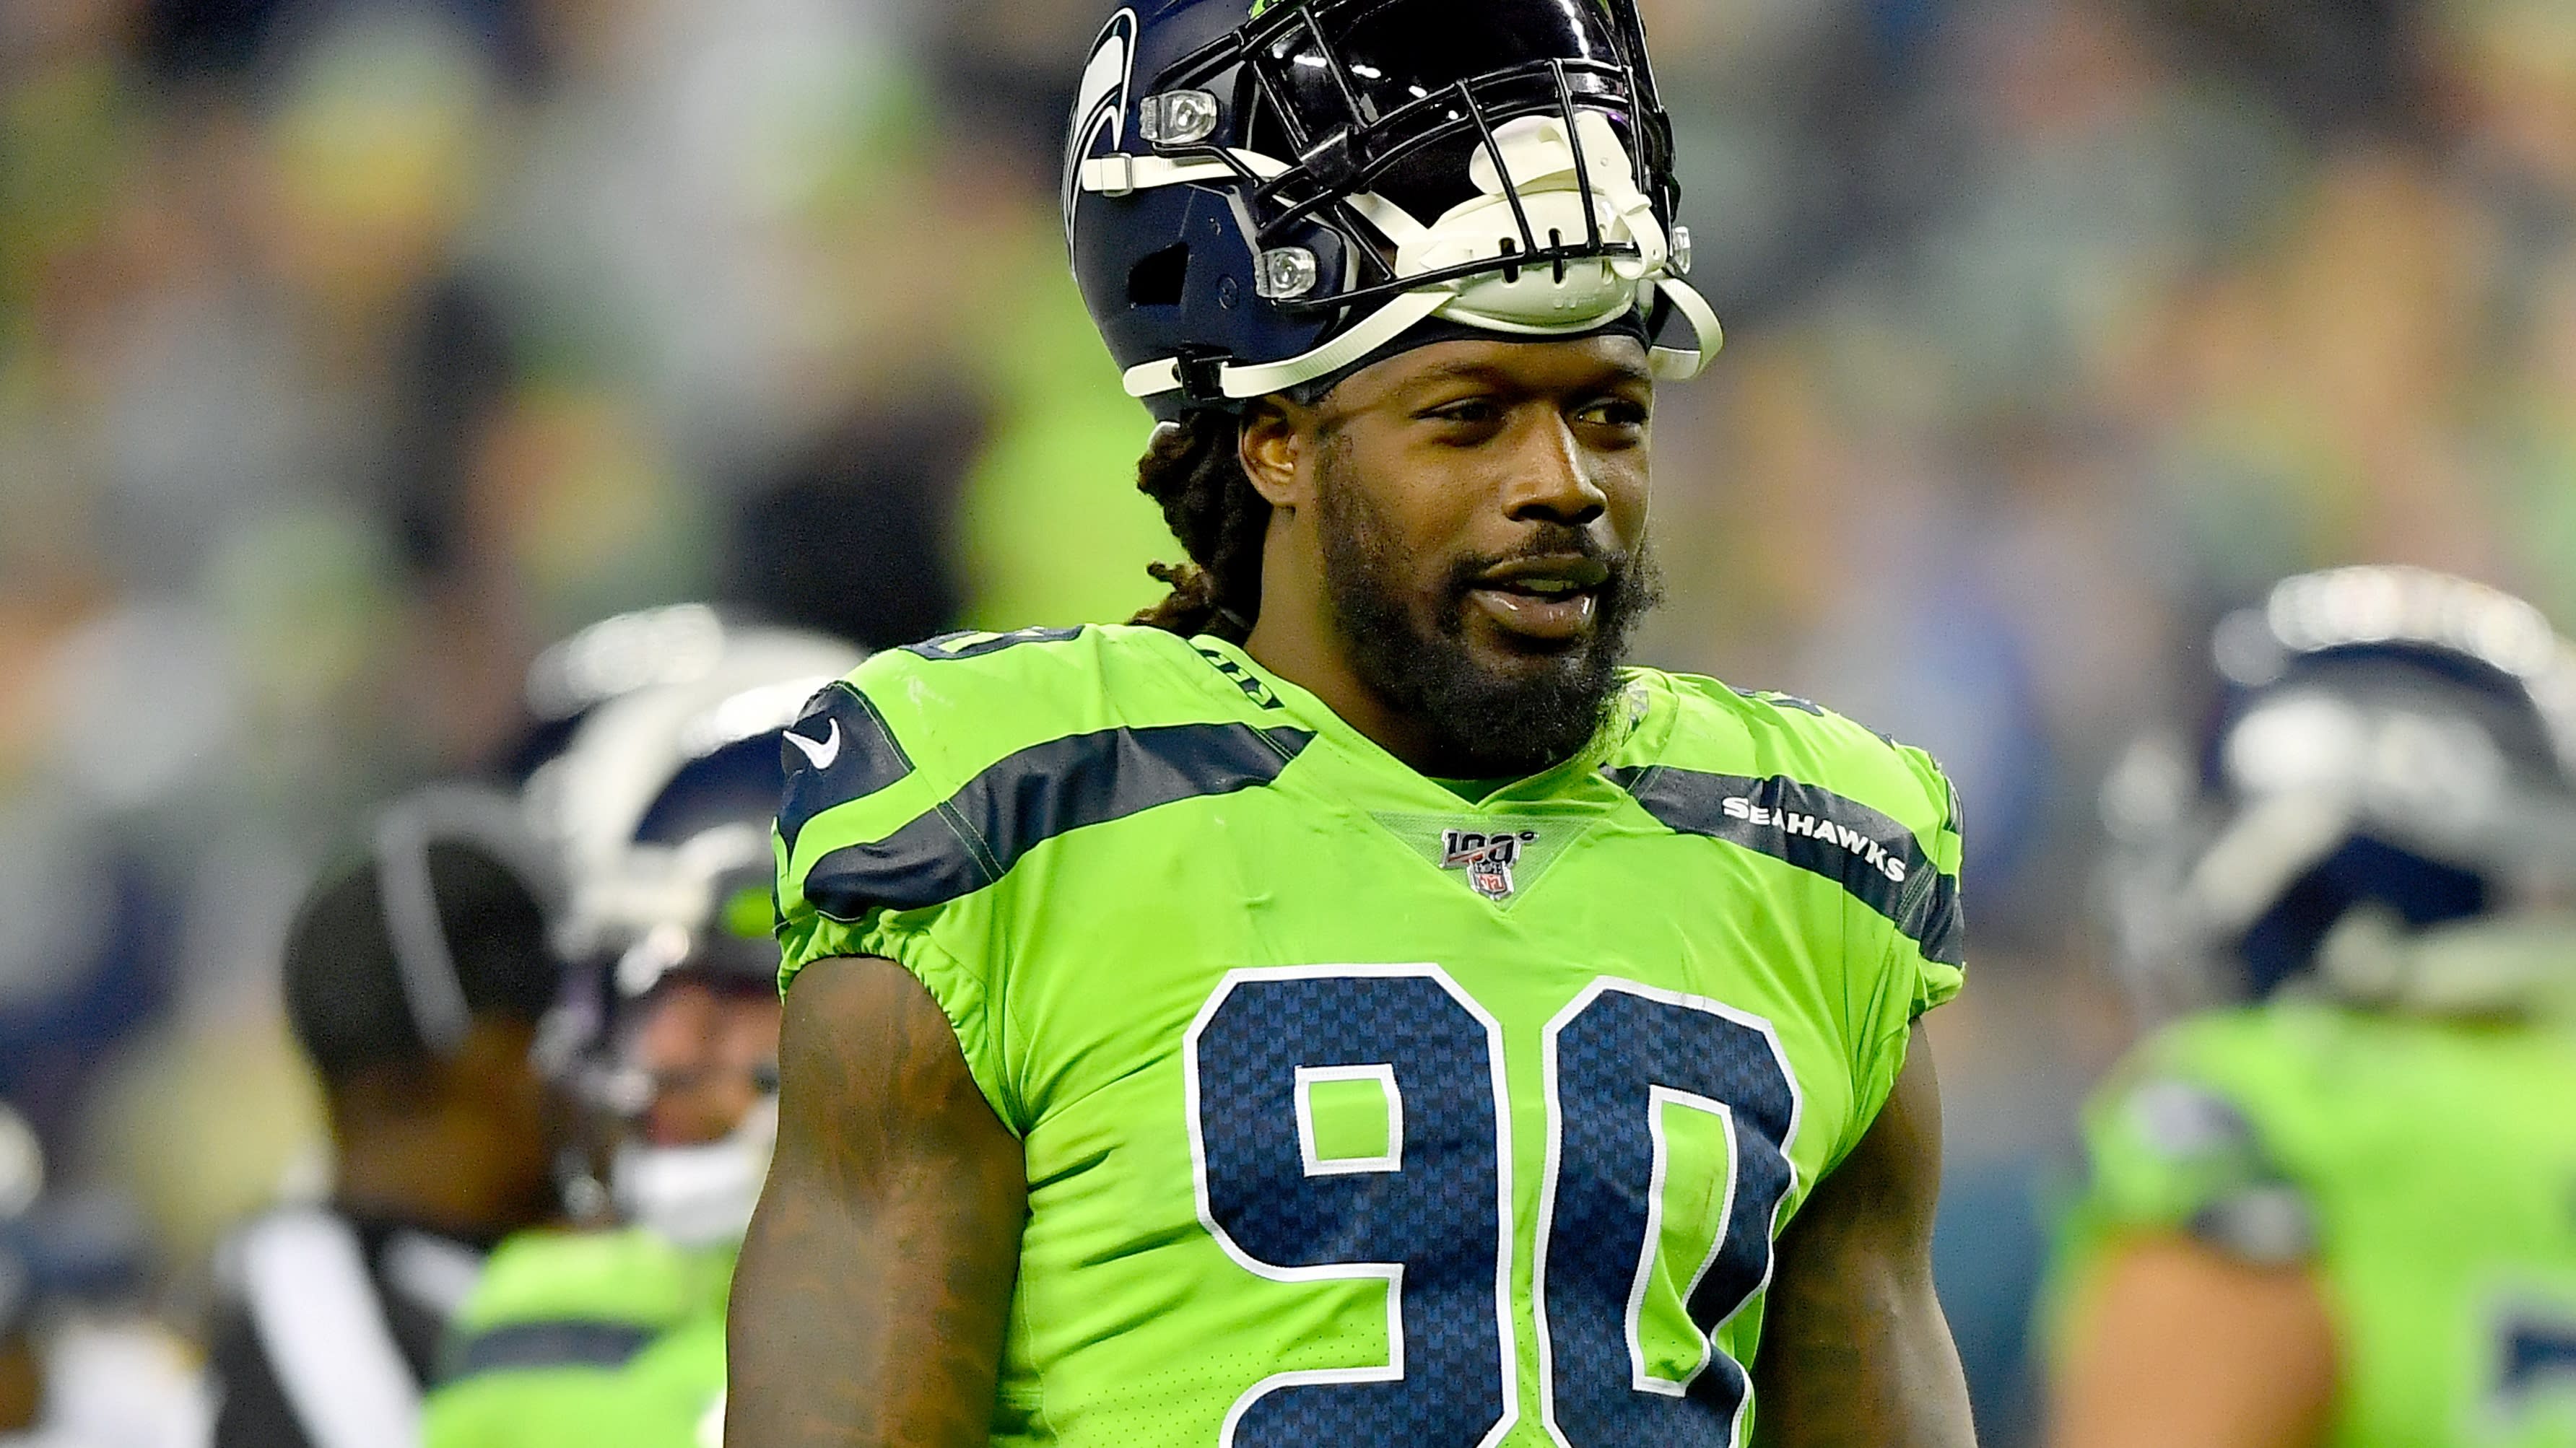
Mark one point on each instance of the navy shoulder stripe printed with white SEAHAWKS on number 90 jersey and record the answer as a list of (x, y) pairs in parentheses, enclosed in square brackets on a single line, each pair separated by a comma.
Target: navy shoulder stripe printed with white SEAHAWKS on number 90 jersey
[(1869, 854)]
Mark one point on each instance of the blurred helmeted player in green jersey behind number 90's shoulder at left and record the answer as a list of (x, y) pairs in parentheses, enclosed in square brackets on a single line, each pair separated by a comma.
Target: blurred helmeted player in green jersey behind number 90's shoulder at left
[(614, 1331)]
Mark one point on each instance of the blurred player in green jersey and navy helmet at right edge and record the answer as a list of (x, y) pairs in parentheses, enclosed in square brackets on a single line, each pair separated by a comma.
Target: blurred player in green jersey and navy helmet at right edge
[(2338, 1199)]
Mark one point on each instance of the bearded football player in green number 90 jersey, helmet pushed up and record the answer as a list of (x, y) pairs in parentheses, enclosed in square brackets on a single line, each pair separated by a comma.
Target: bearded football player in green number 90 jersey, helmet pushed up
[(1349, 1006)]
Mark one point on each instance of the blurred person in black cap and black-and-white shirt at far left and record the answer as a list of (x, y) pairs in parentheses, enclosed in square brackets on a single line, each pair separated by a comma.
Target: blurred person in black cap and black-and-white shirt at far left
[(416, 980)]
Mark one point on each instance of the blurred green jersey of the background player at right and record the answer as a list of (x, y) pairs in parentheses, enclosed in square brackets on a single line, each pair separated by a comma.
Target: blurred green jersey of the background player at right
[(2425, 1174)]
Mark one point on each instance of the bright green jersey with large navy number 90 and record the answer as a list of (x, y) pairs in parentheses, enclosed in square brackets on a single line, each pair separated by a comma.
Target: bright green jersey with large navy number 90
[(1359, 1112)]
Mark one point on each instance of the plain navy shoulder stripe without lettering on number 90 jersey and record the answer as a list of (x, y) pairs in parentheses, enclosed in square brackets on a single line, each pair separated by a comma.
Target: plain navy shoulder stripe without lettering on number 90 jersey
[(1032, 797)]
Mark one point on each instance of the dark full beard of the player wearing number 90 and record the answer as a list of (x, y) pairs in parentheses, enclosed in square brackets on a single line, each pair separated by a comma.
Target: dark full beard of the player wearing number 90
[(1482, 723)]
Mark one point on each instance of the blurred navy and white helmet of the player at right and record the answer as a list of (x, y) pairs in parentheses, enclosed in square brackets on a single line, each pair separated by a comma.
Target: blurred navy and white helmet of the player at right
[(2382, 795)]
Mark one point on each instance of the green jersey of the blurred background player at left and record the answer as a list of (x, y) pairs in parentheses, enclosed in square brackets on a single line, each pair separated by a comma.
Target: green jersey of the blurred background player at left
[(586, 1341)]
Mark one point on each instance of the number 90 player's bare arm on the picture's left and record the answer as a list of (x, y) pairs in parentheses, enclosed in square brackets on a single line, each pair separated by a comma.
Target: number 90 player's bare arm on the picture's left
[(885, 1248)]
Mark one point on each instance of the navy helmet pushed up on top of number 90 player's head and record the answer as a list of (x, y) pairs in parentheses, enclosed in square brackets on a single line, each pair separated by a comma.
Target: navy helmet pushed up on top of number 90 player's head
[(1266, 192)]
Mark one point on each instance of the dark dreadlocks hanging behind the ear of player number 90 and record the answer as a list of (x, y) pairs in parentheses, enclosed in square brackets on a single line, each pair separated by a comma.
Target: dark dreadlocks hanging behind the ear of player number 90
[(1220, 519)]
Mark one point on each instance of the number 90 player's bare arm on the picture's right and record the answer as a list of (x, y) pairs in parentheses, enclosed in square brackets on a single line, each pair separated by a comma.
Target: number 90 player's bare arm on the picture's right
[(1856, 1351)]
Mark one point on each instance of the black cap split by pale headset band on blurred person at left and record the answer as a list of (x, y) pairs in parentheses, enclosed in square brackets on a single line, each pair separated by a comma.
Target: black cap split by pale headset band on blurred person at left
[(349, 991)]
